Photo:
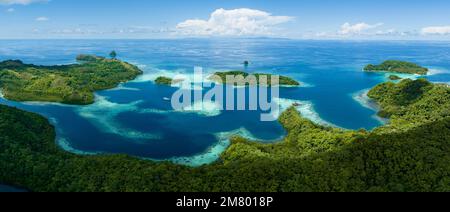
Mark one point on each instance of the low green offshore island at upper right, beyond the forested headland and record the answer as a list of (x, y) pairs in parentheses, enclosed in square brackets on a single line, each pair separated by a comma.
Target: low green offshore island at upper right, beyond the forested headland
[(397, 66)]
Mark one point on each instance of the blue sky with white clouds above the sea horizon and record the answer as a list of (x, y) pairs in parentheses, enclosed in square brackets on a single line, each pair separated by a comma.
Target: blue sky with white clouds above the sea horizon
[(300, 19)]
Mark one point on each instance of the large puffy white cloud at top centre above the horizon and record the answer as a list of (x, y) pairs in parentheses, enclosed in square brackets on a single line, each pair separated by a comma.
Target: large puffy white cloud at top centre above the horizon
[(237, 22)]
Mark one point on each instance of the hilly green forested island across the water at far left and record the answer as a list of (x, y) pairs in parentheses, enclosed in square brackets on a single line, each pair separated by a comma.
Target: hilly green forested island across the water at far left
[(68, 84)]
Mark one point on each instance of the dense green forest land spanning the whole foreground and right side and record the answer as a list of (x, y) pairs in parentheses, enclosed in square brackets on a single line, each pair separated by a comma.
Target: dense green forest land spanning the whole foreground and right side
[(412, 153)]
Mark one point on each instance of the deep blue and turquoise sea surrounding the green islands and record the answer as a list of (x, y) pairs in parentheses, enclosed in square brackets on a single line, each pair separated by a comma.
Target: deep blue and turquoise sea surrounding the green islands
[(135, 119)]
